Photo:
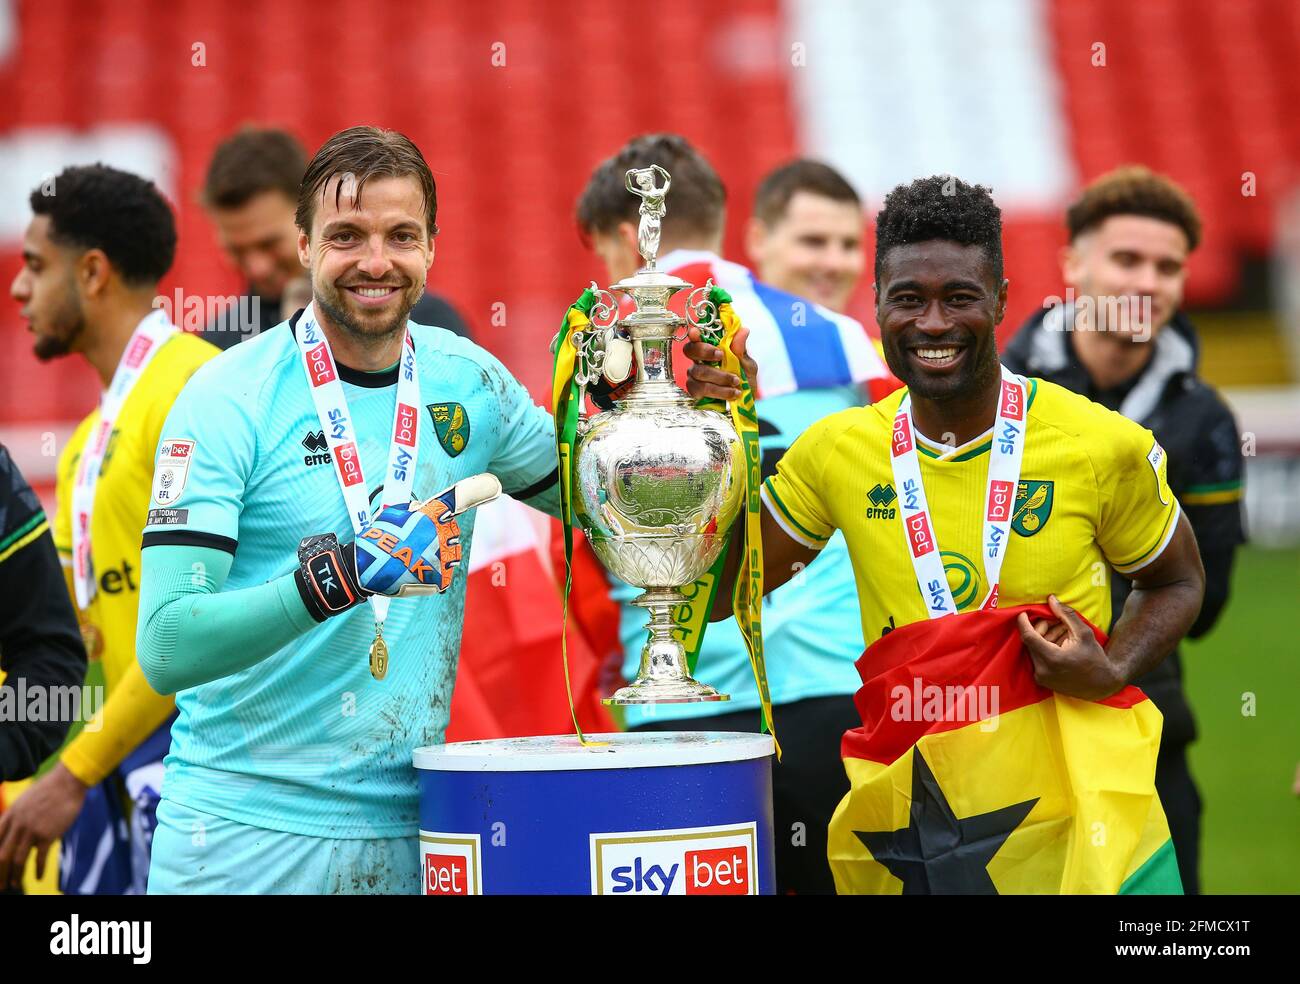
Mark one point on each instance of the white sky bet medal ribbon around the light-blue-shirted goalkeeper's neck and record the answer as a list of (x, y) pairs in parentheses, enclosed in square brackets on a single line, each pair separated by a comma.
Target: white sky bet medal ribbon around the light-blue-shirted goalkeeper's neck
[(341, 435)]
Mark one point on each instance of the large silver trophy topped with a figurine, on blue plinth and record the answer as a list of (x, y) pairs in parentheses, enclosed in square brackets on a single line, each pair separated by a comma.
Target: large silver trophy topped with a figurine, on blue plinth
[(658, 480)]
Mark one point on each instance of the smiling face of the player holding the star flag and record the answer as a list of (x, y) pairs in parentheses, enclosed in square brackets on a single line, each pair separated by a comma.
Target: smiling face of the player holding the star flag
[(938, 305)]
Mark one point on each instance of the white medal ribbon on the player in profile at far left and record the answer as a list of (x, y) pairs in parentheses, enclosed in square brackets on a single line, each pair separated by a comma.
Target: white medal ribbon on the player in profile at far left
[(146, 340)]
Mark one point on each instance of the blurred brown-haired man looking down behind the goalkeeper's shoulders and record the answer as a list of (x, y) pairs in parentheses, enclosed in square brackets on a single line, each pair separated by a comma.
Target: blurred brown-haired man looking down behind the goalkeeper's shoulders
[(250, 194)]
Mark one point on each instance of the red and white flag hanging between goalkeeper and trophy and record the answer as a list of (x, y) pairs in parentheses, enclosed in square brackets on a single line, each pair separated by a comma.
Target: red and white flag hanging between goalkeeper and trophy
[(512, 680)]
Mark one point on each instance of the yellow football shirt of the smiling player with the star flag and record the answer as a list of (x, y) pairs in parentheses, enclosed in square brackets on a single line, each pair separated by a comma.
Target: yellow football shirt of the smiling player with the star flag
[(1093, 497)]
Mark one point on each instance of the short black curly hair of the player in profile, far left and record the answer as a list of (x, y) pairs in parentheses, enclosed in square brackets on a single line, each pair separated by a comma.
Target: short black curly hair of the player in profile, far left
[(97, 207)]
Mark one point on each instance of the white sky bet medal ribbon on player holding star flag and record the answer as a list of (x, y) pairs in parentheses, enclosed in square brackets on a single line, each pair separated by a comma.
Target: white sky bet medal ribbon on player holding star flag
[(1004, 476)]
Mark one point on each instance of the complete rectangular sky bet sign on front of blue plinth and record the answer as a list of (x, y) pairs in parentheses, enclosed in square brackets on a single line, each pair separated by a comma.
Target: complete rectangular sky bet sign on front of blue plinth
[(697, 861)]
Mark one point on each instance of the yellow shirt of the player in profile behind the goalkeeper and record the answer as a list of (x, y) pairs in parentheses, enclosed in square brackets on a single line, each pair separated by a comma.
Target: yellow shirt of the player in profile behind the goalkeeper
[(132, 709)]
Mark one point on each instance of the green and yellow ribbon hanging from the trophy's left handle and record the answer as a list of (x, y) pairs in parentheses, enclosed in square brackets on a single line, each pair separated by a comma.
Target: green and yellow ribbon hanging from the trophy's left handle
[(566, 408)]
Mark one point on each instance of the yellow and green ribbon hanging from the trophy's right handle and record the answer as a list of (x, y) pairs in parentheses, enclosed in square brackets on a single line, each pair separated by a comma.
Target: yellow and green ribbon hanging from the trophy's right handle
[(748, 592)]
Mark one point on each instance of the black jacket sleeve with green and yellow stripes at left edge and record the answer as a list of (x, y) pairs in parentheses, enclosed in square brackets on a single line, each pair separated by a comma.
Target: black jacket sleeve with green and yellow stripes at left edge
[(41, 645)]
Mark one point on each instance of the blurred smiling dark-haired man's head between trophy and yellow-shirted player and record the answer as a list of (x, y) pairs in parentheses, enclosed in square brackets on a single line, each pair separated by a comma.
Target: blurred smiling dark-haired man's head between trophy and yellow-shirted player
[(805, 233)]
